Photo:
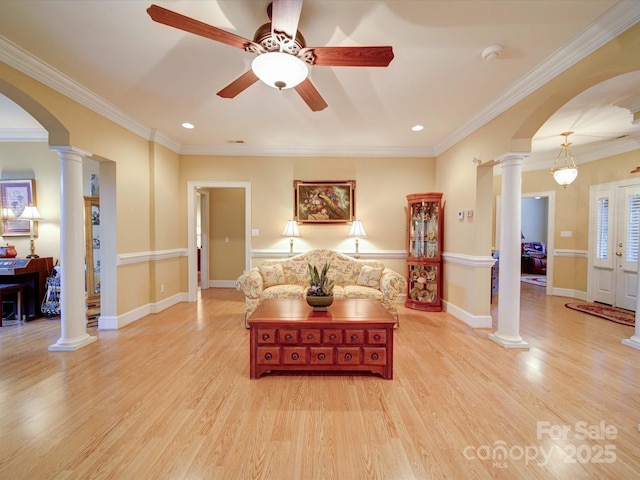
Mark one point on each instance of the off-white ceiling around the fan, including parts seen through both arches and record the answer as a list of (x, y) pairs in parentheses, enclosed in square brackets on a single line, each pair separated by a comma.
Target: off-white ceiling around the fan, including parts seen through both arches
[(112, 57)]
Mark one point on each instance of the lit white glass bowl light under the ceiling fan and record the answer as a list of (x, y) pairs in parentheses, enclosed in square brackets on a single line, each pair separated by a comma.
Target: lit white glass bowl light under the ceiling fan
[(280, 70)]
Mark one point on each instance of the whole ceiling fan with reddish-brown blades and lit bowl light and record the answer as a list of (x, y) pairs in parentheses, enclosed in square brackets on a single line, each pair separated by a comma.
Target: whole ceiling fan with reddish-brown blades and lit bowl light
[(280, 48)]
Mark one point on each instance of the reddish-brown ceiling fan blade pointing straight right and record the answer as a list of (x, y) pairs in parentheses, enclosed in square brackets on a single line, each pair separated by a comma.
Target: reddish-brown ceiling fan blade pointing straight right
[(351, 56)]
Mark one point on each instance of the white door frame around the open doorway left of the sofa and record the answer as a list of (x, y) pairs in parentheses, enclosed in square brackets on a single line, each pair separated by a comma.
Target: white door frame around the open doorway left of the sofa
[(192, 254)]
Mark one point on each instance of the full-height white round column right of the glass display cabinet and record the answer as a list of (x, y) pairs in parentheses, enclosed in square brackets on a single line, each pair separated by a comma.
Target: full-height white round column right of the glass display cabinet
[(508, 333)]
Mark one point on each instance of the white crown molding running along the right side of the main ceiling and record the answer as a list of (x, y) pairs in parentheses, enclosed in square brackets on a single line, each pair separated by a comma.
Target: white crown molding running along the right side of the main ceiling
[(612, 23)]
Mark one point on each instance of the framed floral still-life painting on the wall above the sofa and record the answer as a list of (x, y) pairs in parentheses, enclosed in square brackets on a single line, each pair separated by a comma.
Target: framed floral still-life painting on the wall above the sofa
[(324, 202)]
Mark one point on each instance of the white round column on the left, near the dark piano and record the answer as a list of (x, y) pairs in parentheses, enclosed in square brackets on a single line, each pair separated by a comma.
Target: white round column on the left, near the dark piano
[(73, 324)]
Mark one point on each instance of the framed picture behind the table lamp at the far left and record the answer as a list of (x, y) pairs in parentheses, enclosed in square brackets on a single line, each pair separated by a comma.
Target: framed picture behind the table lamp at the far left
[(14, 196)]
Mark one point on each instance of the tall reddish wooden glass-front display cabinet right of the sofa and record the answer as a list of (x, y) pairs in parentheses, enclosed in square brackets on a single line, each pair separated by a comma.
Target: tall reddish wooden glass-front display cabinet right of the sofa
[(424, 263)]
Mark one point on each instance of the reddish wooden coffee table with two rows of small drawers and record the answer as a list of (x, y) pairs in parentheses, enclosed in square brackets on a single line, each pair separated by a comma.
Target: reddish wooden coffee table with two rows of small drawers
[(353, 335)]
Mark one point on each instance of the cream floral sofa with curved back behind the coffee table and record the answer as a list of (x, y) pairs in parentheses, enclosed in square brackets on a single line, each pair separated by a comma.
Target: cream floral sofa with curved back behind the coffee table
[(353, 278)]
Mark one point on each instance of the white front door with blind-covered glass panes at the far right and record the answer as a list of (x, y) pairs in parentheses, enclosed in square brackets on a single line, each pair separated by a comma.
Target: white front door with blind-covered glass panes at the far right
[(615, 248)]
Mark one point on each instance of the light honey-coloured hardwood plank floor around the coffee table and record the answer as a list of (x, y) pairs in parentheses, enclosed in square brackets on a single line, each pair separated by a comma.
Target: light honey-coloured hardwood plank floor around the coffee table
[(169, 397)]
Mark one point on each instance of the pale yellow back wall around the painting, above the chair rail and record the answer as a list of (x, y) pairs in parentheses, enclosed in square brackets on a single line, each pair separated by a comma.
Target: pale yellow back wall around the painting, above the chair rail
[(380, 197)]
